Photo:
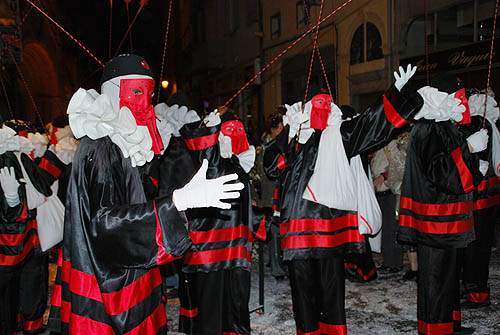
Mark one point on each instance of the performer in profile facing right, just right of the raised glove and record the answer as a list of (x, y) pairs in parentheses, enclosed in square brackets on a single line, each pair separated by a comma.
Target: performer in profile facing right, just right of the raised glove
[(436, 207)]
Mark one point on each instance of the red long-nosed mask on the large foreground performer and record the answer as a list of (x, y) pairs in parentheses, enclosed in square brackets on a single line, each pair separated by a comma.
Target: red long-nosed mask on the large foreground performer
[(136, 95)]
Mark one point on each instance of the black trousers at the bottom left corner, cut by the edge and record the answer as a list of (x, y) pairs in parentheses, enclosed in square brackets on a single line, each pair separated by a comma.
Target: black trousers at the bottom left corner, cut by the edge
[(9, 298)]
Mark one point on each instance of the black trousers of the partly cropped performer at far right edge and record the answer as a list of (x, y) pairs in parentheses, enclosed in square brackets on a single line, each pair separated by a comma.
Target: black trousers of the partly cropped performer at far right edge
[(476, 257)]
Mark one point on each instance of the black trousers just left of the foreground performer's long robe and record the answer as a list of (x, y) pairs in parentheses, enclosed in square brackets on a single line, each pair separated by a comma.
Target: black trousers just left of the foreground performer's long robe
[(33, 292)]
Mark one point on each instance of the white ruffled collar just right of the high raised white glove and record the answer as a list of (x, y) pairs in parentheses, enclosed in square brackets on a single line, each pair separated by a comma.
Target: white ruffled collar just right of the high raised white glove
[(439, 106)]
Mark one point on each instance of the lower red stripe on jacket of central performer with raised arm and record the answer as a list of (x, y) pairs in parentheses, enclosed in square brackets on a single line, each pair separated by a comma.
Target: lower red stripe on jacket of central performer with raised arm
[(321, 241)]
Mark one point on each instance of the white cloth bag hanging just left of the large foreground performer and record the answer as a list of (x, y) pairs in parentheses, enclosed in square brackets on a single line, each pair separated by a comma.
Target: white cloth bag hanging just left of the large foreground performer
[(50, 219)]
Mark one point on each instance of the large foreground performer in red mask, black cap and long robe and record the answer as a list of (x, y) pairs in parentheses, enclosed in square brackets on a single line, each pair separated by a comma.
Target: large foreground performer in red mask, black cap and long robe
[(114, 239)]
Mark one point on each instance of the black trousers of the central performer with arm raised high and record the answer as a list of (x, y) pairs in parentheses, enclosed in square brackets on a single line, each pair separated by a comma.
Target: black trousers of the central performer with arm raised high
[(318, 295)]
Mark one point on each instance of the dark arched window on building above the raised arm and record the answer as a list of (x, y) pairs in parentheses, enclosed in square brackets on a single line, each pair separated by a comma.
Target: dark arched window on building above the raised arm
[(366, 49)]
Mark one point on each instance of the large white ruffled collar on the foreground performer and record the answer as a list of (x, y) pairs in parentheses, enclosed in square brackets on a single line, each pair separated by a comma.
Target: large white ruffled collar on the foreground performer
[(91, 114)]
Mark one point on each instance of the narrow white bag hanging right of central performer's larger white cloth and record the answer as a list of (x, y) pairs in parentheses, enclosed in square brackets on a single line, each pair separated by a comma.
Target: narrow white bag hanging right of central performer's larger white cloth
[(369, 213)]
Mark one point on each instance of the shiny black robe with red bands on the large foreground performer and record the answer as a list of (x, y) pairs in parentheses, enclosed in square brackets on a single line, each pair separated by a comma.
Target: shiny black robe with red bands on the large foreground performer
[(113, 241)]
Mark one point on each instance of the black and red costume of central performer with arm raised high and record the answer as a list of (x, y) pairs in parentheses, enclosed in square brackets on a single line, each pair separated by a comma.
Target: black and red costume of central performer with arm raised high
[(314, 238)]
